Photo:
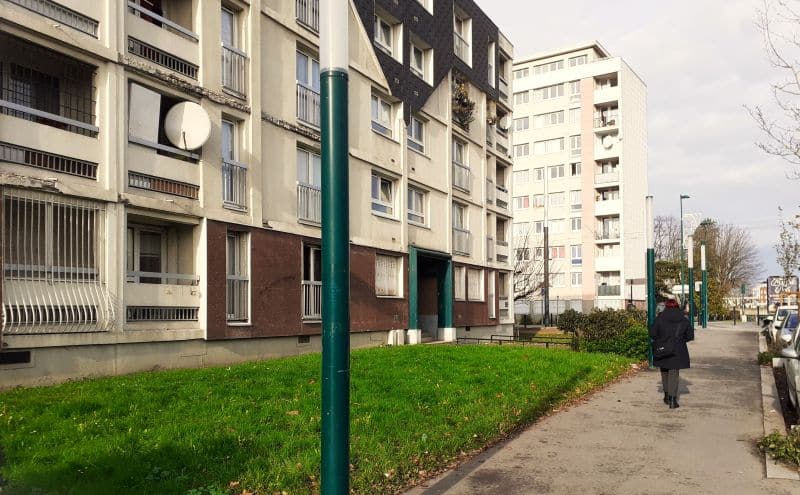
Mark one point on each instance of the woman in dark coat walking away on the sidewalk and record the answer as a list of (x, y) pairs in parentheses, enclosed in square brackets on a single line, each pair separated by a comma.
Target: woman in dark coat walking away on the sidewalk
[(671, 331)]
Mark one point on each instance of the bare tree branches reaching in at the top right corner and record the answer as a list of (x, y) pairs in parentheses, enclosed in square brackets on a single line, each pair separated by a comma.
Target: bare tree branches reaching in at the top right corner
[(778, 21)]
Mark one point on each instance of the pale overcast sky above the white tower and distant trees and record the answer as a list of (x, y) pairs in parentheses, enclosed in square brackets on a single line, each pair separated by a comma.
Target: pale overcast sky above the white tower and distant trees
[(702, 60)]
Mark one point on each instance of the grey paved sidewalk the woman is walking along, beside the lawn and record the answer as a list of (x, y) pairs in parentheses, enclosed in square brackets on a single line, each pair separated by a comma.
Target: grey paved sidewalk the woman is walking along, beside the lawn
[(625, 440)]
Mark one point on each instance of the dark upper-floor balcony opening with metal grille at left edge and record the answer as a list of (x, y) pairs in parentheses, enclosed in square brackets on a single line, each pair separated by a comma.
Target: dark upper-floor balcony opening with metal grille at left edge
[(42, 86)]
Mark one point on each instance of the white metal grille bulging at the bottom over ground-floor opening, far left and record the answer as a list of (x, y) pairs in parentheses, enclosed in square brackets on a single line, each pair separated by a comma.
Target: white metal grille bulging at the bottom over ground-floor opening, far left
[(53, 259)]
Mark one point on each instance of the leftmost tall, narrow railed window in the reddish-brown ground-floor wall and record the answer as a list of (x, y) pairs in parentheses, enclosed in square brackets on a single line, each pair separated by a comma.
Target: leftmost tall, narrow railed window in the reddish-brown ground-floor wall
[(237, 281)]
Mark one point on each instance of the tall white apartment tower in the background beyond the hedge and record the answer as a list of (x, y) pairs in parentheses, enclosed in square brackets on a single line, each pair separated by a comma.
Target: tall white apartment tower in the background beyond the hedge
[(580, 172)]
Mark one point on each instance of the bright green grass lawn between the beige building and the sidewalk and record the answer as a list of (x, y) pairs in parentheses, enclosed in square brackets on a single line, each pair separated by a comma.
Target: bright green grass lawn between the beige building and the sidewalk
[(256, 426)]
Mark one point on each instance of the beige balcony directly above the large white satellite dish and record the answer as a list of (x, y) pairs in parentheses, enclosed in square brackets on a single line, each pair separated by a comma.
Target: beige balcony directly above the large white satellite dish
[(169, 44)]
